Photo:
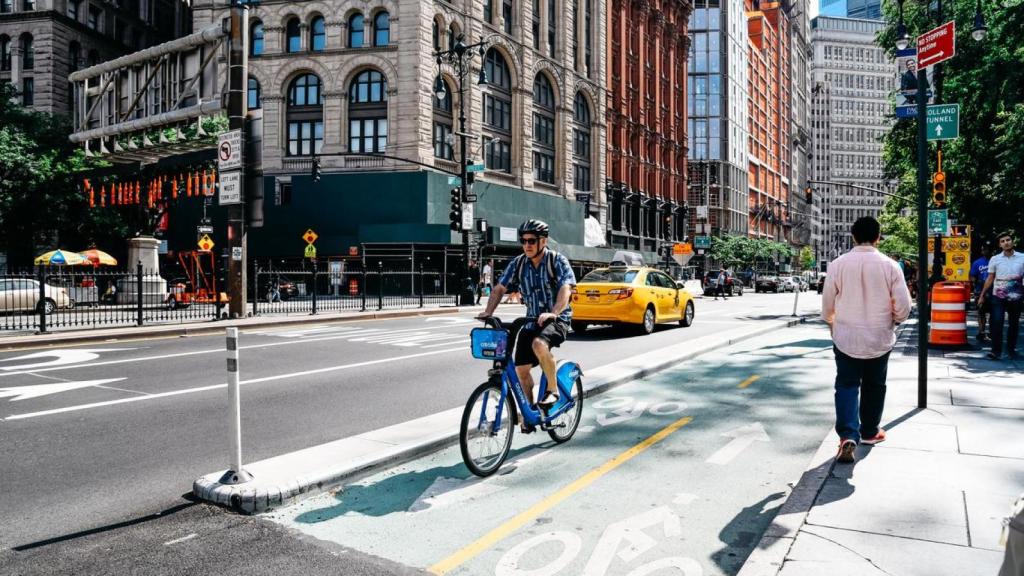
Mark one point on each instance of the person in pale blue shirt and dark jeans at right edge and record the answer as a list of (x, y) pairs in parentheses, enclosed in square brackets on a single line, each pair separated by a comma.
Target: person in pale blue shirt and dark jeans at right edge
[(1005, 273)]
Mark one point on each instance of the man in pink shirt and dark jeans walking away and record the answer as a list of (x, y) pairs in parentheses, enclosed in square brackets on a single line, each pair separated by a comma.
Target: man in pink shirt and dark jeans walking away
[(865, 298)]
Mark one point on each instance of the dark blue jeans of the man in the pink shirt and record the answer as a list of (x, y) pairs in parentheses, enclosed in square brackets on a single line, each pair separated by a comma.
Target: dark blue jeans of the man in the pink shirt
[(860, 418)]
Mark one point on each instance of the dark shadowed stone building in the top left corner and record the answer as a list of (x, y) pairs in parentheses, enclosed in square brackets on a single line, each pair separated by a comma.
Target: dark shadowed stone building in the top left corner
[(44, 42)]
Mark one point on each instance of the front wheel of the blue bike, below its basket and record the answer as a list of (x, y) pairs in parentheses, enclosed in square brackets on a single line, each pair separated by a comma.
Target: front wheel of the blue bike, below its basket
[(486, 434)]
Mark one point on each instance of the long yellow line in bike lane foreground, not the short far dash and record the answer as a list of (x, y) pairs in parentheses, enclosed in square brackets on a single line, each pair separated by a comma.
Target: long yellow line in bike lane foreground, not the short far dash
[(496, 536)]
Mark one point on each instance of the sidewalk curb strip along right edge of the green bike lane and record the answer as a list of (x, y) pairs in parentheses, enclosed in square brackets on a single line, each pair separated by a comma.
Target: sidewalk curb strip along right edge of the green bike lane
[(770, 555)]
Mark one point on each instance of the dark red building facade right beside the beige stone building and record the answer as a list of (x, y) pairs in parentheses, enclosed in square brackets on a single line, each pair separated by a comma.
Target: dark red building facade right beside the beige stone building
[(648, 48)]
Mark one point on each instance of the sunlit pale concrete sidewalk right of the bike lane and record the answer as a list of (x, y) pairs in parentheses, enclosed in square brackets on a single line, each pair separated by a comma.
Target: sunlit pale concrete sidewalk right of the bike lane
[(928, 502)]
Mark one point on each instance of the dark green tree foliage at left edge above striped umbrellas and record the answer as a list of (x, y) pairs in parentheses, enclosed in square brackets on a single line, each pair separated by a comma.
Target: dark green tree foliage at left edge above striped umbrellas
[(40, 204)]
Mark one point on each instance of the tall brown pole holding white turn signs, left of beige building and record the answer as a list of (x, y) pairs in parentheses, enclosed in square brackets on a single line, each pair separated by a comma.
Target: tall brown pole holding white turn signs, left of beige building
[(237, 110)]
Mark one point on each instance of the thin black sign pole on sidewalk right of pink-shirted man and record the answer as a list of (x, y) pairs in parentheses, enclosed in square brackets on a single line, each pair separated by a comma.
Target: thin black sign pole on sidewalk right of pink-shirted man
[(923, 305)]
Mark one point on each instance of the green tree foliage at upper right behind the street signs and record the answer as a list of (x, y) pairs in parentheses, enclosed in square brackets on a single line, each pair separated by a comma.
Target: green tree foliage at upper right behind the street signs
[(985, 166)]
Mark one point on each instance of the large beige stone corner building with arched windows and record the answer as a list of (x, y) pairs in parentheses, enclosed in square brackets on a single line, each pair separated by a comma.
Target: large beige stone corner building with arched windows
[(339, 77)]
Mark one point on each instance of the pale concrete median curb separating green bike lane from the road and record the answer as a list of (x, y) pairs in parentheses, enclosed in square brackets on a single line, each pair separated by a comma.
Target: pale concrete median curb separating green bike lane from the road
[(255, 501)]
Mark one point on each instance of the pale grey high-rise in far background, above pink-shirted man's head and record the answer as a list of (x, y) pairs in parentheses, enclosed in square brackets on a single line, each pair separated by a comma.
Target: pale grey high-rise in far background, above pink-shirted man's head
[(852, 83)]
